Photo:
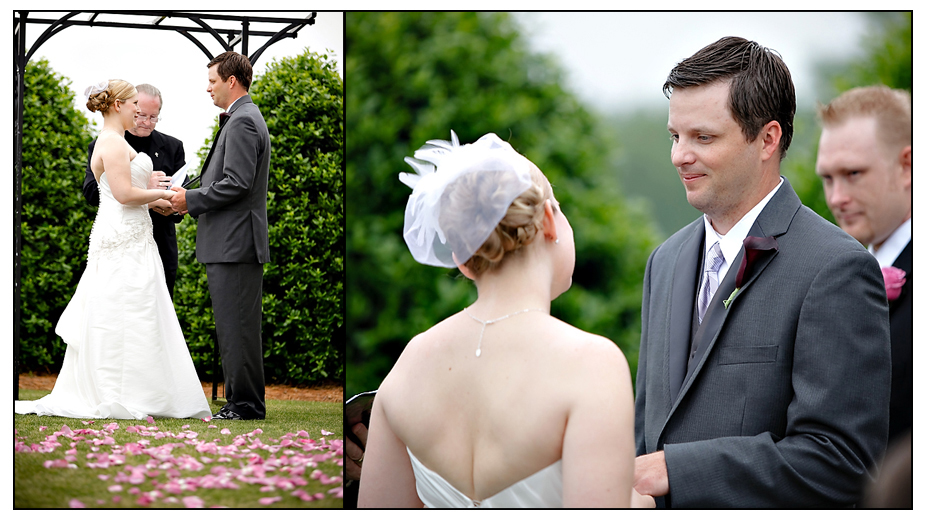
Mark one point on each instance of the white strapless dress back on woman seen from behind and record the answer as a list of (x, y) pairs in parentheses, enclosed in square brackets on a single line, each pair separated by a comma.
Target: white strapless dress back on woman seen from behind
[(543, 489)]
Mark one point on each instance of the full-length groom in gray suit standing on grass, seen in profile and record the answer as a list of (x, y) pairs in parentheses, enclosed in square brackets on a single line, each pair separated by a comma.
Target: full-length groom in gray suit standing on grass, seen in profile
[(231, 237)]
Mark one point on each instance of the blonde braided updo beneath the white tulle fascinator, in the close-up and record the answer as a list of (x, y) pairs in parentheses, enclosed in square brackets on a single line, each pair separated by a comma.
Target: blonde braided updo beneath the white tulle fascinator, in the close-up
[(519, 227)]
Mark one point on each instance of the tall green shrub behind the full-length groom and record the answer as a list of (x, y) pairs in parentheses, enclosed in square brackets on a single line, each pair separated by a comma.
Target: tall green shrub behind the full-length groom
[(301, 99)]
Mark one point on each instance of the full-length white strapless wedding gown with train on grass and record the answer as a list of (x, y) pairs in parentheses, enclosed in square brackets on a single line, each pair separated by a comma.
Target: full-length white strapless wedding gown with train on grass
[(126, 356)]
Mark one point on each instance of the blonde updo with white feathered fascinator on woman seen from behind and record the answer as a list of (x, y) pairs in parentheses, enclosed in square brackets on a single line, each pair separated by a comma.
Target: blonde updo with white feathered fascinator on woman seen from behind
[(472, 205)]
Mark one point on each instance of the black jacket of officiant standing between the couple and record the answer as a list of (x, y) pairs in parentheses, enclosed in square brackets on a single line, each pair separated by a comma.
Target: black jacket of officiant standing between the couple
[(167, 155)]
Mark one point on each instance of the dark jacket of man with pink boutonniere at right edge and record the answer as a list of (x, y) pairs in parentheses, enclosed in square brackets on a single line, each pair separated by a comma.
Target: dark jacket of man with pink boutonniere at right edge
[(902, 322)]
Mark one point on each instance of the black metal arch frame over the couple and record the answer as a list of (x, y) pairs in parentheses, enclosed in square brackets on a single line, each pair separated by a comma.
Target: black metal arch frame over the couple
[(21, 58)]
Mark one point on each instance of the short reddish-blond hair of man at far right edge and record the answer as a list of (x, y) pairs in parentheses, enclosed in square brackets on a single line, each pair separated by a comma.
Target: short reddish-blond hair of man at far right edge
[(890, 107)]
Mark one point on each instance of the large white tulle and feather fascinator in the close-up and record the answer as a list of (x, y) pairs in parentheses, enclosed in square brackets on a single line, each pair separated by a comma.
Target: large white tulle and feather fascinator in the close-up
[(489, 163)]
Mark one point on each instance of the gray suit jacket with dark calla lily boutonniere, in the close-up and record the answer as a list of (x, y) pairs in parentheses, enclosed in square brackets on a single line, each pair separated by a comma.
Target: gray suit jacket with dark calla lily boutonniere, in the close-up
[(786, 404)]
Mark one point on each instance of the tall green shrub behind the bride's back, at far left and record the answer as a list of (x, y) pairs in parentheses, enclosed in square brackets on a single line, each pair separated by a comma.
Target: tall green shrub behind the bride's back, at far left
[(56, 219)]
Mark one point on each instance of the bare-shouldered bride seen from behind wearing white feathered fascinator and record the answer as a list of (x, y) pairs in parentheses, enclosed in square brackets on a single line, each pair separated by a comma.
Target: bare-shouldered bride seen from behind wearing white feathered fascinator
[(500, 405)]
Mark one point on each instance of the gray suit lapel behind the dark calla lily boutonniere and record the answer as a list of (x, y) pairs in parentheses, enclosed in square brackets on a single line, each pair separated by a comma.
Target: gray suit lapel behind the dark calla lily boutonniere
[(774, 221)]
